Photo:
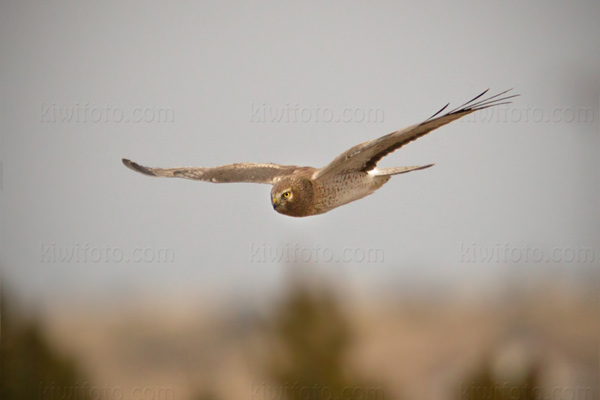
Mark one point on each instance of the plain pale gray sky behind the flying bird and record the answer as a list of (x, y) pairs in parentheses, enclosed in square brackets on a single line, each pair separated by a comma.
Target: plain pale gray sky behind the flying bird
[(197, 78)]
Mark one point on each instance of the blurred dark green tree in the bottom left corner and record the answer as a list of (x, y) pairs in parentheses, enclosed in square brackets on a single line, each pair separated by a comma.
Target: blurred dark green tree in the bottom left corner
[(30, 368)]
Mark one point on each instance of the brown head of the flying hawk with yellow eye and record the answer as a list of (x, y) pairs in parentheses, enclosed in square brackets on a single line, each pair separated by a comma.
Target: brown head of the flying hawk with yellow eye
[(292, 196)]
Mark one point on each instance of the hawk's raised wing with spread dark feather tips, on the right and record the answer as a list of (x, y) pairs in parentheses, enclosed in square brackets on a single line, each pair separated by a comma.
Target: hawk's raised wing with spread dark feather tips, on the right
[(365, 156)]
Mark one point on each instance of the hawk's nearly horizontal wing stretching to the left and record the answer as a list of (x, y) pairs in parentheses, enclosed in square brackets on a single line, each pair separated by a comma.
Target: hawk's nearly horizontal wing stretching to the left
[(242, 172)]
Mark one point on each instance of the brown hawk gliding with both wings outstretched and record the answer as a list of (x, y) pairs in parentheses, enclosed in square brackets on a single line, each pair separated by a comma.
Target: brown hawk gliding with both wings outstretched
[(305, 191)]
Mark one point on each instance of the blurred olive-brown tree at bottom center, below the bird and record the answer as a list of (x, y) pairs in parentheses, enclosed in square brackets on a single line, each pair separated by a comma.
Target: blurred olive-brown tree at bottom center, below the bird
[(310, 340)]
